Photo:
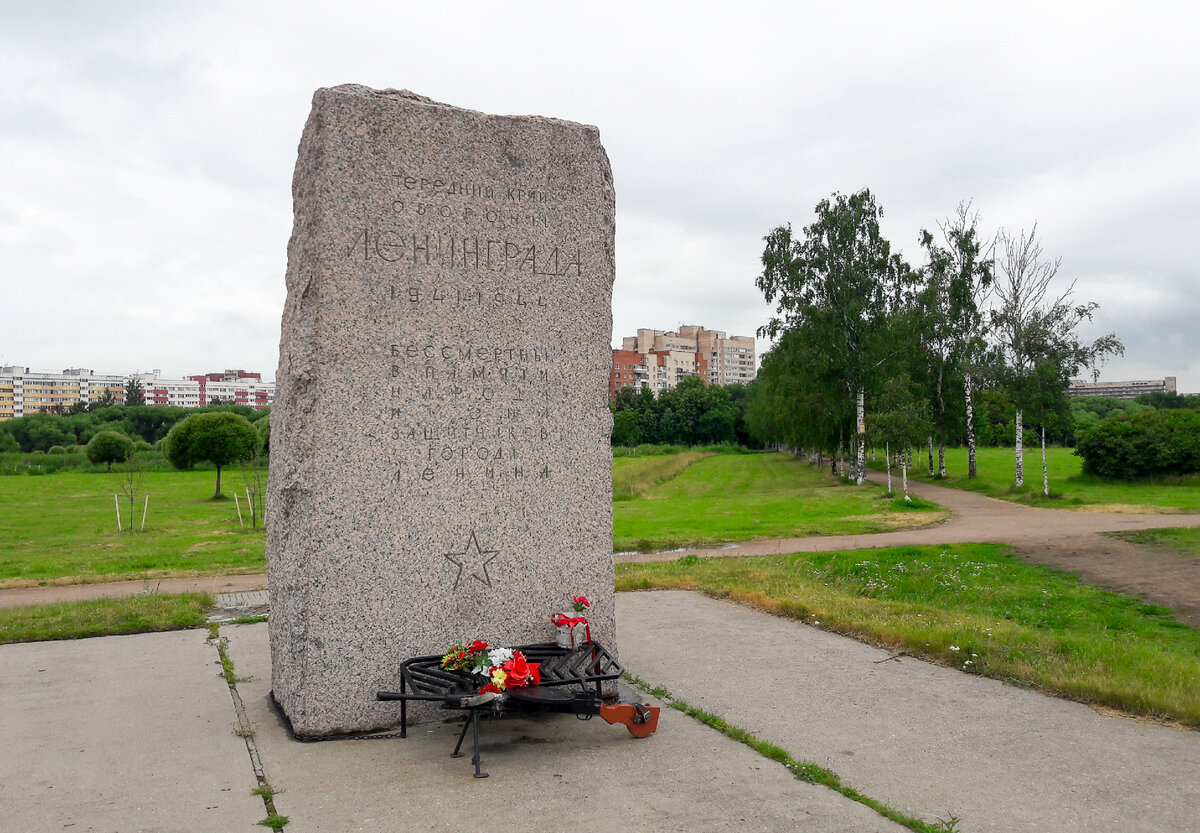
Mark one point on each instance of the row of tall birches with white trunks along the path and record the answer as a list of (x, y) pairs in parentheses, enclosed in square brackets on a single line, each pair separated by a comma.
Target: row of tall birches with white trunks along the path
[(869, 347)]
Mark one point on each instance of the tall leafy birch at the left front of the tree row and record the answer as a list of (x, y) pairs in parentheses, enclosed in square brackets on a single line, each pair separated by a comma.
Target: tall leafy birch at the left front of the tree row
[(841, 287)]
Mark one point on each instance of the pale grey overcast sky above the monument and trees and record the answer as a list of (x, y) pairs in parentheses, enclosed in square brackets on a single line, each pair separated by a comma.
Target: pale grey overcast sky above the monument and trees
[(147, 151)]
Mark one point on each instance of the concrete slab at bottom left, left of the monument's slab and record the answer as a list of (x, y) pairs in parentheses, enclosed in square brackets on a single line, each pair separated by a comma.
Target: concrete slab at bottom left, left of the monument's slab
[(123, 734)]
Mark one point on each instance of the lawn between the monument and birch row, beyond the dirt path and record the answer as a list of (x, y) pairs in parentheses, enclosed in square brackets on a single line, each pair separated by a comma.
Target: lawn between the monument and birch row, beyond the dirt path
[(741, 498)]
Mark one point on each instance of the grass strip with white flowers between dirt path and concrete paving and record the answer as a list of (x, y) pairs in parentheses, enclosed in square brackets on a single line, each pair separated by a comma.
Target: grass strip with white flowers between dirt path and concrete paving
[(975, 608)]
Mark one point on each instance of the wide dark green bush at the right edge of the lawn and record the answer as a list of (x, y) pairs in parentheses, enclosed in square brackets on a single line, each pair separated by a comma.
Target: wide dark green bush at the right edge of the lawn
[(1141, 446)]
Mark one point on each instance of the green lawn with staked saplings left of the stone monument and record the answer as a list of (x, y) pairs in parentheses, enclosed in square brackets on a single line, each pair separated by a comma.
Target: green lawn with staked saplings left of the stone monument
[(63, 528)]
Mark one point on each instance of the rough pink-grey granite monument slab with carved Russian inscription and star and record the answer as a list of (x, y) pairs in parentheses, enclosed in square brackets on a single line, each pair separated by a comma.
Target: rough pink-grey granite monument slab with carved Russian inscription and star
[(440, 439)]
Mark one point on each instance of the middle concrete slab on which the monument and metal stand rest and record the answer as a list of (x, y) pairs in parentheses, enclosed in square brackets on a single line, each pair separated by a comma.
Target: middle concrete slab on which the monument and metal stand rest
[(549, 774)]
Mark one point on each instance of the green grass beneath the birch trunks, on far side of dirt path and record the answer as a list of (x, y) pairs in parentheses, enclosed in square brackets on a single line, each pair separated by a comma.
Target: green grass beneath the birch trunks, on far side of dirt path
[(1070, 489)]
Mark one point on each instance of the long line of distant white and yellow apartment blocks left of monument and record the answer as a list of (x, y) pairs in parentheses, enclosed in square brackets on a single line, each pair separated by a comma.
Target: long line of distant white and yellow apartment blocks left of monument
[(25, 392)]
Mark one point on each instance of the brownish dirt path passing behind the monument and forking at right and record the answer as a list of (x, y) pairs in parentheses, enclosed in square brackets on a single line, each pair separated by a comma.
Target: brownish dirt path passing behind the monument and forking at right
[(1063, 540)]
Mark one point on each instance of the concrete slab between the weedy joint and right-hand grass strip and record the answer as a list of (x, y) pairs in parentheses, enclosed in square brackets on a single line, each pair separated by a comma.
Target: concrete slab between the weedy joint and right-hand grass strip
[(923, 739)]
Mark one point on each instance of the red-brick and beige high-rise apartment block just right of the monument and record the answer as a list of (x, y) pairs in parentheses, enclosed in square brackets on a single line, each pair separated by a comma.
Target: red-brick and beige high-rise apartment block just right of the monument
[(658, 361)]
